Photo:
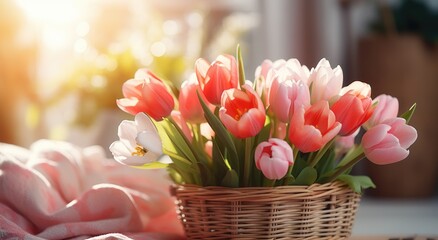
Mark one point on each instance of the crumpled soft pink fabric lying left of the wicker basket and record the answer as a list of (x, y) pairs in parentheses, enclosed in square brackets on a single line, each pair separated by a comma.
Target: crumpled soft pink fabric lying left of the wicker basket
[(55, 190)]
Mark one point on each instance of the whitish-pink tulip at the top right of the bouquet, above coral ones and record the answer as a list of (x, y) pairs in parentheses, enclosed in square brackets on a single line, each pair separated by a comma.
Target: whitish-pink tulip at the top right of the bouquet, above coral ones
[(326, 82)]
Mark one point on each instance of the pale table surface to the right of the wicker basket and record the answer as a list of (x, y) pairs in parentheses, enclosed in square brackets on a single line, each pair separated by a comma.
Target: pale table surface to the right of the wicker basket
[(396, 219)]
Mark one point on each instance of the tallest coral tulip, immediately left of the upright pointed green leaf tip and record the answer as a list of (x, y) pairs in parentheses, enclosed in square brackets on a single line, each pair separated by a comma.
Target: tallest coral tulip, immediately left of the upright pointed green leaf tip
[(216, 78)]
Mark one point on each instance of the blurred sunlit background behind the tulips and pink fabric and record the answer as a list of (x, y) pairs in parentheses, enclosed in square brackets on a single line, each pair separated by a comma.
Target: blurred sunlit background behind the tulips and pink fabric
[(62, 63)]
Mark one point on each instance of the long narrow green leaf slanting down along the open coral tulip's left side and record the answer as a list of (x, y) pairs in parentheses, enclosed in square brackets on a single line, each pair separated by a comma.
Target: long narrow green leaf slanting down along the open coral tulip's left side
[(222, 136)]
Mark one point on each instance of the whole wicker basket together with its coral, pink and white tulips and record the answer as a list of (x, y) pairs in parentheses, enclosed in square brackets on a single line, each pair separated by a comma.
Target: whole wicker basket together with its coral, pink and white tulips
[(264, 159)]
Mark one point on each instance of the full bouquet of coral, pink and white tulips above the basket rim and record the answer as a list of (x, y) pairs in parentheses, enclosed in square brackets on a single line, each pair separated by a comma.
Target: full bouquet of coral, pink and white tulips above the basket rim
[(289, 126)]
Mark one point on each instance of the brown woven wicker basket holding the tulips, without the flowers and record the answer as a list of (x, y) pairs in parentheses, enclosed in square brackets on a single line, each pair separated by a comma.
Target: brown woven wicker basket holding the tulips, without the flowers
[(324, 211)]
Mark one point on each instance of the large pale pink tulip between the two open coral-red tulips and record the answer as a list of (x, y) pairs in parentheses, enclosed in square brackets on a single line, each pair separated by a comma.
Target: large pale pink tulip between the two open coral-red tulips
[(285, 95)]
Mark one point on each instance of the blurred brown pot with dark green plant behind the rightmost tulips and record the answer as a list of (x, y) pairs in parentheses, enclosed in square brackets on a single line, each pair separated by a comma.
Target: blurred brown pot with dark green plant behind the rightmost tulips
[(399, 55)]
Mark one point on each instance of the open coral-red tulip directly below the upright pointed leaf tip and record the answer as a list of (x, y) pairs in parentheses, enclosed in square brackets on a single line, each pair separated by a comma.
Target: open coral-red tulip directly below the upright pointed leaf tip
[(242, 112)]
